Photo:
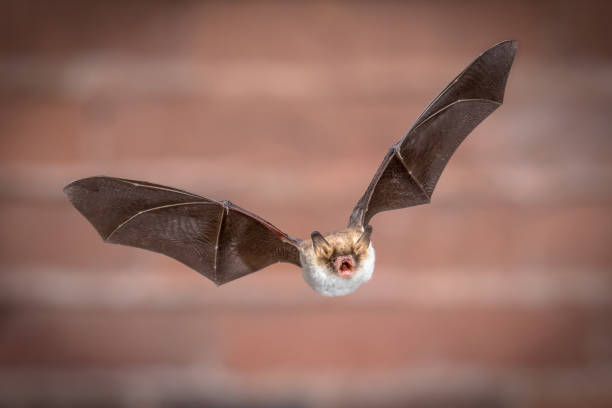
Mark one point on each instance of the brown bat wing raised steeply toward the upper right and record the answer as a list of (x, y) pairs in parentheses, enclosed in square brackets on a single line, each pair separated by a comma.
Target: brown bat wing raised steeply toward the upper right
[(412, 167)]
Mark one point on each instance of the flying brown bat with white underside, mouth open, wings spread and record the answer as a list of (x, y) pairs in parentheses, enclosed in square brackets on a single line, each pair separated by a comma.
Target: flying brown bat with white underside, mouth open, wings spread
[(223, 241)]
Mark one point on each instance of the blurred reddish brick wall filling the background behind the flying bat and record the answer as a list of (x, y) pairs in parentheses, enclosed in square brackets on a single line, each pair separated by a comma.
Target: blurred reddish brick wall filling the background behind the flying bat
[(496, 295)]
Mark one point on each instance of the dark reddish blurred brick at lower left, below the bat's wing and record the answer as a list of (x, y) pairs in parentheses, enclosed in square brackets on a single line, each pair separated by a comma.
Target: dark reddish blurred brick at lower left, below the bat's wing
[(104, 340)]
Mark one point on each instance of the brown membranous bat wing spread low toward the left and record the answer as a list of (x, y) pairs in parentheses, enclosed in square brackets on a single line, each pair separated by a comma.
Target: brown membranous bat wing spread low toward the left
[(216, 238)]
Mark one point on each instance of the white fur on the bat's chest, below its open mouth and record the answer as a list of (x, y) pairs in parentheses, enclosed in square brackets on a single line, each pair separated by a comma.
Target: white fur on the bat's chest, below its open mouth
[(329, 284)]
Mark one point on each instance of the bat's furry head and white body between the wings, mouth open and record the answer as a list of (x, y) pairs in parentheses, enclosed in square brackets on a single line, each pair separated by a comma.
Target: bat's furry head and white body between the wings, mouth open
[(338, 263)]
